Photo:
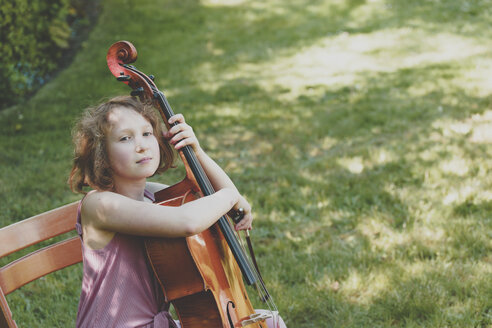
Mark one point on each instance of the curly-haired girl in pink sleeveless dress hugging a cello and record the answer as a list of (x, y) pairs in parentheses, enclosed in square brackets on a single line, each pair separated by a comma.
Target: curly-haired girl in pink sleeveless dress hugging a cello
[(118, 145)]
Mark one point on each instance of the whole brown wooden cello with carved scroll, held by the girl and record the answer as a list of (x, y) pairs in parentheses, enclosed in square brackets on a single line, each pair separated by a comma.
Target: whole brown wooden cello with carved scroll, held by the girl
[(205, 283)]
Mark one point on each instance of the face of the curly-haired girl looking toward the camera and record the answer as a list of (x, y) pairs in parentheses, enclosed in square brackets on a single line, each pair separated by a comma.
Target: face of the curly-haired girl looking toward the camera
[(133, 149)]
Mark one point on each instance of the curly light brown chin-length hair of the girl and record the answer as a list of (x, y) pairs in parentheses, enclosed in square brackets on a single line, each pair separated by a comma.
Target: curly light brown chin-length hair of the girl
[(91, 166)]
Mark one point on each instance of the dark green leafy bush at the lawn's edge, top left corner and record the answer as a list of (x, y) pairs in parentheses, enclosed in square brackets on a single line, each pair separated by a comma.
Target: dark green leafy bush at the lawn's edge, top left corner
[(33, 36)]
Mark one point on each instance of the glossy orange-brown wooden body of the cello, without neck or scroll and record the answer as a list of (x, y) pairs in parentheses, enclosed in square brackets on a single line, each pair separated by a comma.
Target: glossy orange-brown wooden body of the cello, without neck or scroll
[(198, 274)]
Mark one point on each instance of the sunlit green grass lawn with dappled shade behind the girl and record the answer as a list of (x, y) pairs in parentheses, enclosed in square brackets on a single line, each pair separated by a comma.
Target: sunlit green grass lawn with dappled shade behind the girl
[(360, 131)]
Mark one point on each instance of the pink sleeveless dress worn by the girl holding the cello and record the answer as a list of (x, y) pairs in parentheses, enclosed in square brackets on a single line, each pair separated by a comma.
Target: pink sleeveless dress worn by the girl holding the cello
[(118, 286)]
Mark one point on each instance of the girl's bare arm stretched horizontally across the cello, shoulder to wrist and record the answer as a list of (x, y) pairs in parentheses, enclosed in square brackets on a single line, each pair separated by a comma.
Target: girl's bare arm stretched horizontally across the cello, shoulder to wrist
[(112, 212)]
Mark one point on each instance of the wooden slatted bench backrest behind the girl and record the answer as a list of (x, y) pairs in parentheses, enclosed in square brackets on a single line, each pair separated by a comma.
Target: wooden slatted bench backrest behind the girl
[(34, 230)]
